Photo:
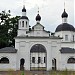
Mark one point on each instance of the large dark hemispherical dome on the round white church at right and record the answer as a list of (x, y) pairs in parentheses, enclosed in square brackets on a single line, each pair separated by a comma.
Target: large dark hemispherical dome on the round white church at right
[(64, 27)]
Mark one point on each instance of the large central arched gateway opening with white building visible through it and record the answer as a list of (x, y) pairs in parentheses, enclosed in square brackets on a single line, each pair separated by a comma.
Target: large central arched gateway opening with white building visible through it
[(38, 57)]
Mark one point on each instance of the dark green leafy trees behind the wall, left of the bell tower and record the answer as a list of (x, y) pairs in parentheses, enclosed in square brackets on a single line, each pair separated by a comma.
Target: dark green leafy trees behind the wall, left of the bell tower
[(8, 29)]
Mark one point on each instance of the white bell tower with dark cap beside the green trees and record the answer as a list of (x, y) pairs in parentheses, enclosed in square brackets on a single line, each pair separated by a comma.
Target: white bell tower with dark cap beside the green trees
[(23, 24)]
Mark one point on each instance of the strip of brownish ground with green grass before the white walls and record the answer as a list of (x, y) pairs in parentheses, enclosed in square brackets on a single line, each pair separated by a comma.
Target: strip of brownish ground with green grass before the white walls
[(37, 73)]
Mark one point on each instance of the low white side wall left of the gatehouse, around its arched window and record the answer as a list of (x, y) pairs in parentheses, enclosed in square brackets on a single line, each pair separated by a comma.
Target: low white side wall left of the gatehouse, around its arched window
[(12, 62)]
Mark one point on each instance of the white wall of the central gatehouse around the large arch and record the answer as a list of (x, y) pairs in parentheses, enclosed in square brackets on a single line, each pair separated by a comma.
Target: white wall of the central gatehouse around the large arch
[(24, 45)]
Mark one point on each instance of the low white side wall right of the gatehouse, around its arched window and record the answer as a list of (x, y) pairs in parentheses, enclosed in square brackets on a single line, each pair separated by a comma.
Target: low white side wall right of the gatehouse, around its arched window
[(63, 63)]
